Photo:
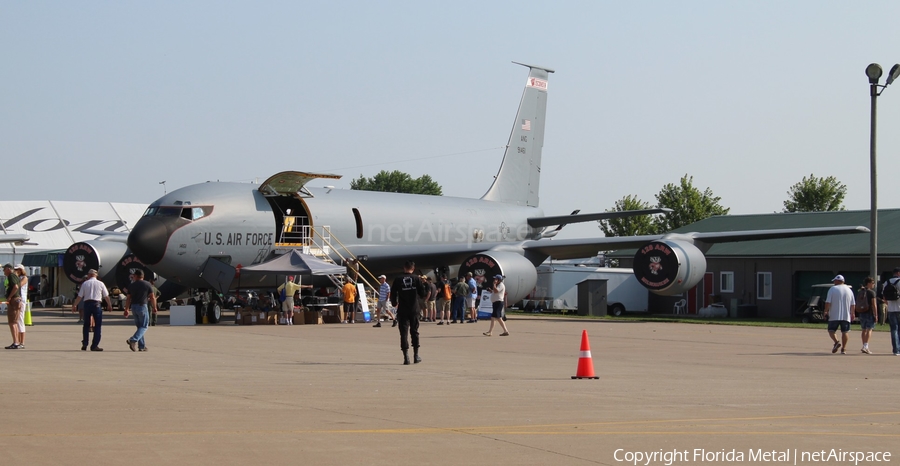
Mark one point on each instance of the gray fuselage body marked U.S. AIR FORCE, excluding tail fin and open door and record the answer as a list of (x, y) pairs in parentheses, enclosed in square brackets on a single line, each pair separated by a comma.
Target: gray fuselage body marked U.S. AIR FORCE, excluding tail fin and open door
[(239, 225)]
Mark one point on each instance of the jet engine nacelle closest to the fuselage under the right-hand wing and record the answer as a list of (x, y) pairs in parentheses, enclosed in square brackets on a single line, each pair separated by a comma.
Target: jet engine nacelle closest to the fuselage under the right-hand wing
[(520, 273)]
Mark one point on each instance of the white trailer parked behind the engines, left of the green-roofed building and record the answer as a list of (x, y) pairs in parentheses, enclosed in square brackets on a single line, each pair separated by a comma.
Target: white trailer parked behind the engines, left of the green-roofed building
[(557, 287)]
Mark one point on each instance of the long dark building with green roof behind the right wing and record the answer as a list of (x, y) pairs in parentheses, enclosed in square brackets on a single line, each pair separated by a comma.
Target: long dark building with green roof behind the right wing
[(773, 277)]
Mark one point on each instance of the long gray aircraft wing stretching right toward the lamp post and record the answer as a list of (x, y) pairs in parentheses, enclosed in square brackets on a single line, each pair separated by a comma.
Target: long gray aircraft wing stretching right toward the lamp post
[(586, 247)]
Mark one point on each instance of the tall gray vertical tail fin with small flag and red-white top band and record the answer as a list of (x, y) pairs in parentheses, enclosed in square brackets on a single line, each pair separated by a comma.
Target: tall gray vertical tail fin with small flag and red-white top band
[(518, 180)]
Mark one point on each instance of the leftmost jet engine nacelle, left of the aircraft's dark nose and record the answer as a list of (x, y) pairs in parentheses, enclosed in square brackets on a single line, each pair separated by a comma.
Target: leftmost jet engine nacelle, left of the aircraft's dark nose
[(102, 256)]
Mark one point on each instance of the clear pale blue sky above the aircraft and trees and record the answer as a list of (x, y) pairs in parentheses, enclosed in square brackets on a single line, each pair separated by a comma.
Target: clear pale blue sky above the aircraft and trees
[(104, 100)]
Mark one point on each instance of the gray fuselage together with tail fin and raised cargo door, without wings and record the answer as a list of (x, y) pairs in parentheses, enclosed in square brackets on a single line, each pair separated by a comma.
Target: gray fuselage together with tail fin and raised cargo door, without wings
[(242, 224)]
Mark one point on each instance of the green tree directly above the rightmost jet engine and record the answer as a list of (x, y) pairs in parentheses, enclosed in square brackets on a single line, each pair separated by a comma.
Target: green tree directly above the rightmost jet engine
[(688, 205)]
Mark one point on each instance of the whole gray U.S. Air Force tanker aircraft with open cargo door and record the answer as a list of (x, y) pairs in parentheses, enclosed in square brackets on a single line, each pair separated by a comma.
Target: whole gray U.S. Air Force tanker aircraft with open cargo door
[(191, 233)]
